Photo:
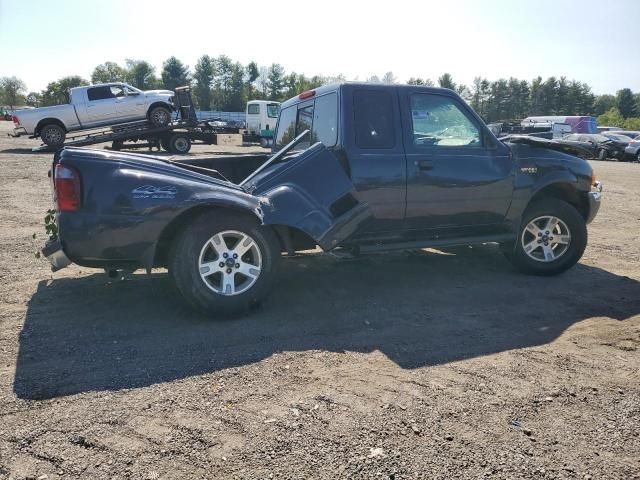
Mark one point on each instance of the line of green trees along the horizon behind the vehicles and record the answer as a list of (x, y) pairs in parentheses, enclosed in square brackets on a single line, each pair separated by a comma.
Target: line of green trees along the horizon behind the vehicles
[(220, 83)]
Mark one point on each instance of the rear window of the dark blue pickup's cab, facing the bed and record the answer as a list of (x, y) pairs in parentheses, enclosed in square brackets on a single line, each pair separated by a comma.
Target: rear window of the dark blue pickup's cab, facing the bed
[(319, 115)]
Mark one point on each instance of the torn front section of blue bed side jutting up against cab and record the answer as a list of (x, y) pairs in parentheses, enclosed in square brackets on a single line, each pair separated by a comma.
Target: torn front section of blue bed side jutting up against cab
[(311, 193)]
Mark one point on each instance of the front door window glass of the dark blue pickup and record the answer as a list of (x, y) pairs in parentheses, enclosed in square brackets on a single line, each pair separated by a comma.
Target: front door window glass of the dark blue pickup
[(439, 121)]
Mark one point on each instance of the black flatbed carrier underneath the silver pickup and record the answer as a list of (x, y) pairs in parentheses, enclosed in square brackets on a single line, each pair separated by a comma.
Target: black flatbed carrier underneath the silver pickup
[(175, 137)]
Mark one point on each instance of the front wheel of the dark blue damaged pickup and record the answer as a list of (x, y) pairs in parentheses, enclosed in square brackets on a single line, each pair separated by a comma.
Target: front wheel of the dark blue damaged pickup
[(552, 253)]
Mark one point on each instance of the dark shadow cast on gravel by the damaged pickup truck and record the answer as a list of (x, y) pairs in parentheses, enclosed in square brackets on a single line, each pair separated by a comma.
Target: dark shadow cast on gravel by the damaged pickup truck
[(419, 308)]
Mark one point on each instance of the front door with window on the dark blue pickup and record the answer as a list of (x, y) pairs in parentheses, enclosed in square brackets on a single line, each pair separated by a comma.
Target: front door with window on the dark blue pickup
[(459, 177)]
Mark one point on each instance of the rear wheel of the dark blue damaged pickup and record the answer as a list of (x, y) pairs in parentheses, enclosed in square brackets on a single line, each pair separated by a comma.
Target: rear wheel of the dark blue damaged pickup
[(221, 293)]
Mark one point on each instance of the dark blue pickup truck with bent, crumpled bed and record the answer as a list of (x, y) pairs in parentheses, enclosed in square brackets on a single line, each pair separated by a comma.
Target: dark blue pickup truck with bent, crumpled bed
[(362, 167)]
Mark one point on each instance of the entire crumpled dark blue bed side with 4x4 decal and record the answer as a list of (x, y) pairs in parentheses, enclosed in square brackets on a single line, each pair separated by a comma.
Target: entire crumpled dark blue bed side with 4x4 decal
[(130, 201)]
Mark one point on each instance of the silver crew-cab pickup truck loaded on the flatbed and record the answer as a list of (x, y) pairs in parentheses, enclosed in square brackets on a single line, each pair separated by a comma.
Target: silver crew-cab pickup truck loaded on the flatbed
[(94, 106)]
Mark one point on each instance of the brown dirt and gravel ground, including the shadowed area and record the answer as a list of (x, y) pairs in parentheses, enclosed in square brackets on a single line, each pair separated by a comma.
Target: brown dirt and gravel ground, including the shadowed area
[(423, 364)]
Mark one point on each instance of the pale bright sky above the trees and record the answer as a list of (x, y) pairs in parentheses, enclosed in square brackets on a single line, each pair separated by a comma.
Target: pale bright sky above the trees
[(592, 41)]
